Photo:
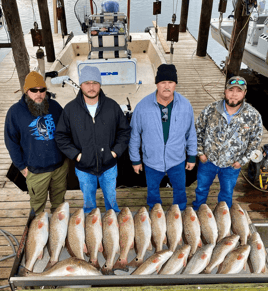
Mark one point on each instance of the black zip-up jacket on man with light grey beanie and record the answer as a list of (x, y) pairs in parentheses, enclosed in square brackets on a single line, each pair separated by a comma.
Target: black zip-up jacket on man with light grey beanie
[(77, 132)]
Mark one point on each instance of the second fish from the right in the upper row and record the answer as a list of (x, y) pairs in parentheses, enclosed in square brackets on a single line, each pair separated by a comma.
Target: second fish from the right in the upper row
[(223, 220)]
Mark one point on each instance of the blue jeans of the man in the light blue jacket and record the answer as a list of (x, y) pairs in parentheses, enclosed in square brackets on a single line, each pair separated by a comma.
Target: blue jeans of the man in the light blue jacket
[(177, 179)]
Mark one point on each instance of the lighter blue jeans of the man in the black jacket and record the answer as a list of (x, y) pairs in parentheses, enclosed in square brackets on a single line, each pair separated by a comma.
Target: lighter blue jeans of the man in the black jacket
[(89, 184)]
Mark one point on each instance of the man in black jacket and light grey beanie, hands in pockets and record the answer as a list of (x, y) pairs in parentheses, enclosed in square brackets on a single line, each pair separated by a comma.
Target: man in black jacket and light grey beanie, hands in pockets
[(93, 131)]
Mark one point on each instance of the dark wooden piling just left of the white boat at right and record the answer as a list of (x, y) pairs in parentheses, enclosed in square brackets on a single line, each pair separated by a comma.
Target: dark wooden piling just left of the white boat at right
[(204, 25)]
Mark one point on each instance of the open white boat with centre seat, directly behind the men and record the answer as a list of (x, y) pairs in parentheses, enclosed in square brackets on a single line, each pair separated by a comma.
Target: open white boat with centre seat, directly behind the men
[(127, 63)]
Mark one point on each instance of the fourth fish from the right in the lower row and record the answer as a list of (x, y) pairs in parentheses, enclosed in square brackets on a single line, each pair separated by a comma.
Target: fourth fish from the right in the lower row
[(199, 260)]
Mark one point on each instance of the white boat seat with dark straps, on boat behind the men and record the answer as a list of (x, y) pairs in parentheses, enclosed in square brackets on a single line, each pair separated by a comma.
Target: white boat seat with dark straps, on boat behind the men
[(108, 36)]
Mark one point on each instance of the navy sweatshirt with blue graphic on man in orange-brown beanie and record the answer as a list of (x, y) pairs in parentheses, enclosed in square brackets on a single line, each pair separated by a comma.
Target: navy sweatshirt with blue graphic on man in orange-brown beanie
[(30, 140)]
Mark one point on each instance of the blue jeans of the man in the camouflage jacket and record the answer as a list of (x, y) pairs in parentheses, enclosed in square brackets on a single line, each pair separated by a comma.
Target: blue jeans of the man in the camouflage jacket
[(205, 176)]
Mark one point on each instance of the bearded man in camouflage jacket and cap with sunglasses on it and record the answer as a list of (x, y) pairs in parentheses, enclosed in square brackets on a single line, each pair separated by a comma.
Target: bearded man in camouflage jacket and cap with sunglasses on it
[(228, 131)]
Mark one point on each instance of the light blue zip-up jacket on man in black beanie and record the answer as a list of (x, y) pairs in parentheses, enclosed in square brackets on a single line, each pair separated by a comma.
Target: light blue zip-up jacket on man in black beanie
[(147, 132)]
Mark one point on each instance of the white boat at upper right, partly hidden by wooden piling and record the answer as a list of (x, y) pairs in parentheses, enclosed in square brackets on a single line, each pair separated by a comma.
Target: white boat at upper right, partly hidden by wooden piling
[(255, 54)]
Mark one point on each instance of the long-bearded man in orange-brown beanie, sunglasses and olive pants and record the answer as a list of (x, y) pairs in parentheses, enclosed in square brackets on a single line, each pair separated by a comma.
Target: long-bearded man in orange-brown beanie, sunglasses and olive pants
[(29, 136)]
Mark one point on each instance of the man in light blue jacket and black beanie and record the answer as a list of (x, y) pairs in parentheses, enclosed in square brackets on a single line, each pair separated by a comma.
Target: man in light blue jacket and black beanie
[(163, 125)]
